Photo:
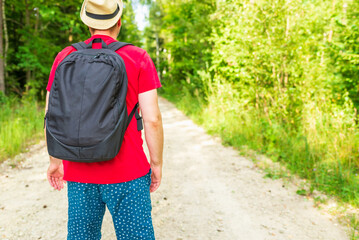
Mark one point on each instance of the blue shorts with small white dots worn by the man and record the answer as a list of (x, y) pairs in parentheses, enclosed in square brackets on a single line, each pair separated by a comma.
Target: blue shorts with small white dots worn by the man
[(129, 204)]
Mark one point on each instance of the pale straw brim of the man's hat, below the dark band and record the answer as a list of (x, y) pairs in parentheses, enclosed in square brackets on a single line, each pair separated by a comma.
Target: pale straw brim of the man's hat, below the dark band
[(100, 24)]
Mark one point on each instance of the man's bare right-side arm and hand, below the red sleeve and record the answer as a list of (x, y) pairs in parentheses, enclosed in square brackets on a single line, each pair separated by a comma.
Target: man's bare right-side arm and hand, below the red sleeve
[(152, 120)]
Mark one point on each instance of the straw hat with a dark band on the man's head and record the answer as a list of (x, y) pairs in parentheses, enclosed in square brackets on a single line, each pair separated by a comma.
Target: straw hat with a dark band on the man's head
[(101, 14)]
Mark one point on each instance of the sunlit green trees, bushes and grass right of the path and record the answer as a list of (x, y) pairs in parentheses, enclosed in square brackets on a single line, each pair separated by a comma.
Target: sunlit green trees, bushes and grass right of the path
[(280, 77)]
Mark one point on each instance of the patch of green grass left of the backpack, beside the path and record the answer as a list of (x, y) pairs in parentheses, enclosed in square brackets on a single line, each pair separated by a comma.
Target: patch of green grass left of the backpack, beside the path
[(21, 123)]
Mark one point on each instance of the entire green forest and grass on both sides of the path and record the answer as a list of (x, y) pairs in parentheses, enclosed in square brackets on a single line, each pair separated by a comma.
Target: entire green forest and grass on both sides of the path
[(278, 77)]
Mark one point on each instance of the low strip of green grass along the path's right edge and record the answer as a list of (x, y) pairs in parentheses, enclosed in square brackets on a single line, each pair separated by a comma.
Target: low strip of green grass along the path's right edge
[(338, 177)]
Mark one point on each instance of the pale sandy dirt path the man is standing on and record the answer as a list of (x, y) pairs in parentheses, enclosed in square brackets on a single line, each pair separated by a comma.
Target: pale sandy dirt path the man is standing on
[(208, 192)]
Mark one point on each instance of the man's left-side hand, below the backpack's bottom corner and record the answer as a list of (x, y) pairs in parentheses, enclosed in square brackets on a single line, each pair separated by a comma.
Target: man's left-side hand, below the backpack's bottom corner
[(55, 173)]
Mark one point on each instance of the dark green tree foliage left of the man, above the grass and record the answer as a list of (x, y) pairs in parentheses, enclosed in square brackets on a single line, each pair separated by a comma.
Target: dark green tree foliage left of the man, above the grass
[(37, 31)]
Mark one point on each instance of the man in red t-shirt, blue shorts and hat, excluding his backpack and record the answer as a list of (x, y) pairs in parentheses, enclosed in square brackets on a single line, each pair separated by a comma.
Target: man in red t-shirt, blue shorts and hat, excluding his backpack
[(124, 183)]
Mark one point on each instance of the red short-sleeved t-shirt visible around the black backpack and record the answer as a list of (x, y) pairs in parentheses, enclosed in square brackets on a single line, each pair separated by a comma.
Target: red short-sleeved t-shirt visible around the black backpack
[(131, 162)]
